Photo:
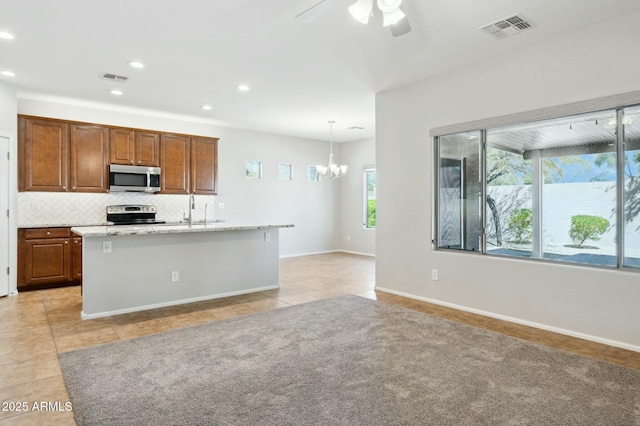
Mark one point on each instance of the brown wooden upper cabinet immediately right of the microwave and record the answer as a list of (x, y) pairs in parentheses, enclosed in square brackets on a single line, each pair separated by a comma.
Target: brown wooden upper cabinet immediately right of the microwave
[(175, 157)]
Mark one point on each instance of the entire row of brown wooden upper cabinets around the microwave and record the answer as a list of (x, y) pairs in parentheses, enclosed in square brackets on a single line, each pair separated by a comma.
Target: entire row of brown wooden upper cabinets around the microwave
[(56, 155)]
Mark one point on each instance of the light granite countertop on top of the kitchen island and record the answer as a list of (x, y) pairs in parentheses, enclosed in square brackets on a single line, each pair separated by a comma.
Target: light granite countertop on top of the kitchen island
[(168, 228)]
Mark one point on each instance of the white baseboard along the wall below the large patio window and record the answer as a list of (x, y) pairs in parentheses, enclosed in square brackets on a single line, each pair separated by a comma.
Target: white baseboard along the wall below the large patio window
[(558, 330)]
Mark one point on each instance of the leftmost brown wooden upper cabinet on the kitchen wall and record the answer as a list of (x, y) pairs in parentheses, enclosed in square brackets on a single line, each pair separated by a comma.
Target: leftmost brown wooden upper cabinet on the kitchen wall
[(43, 149)]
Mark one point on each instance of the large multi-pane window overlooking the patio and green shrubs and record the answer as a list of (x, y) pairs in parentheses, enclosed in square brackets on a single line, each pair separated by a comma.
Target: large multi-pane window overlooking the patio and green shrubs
[(552, 190)]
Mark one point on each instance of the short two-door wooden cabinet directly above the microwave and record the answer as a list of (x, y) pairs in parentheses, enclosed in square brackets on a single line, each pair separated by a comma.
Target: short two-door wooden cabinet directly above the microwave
[(135, 148)]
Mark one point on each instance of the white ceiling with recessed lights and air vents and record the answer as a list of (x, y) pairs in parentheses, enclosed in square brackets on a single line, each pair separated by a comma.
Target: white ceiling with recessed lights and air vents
[(301, 75)]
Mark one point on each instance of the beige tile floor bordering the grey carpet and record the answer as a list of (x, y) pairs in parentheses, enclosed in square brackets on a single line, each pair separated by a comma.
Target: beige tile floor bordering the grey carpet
[(35, 326)]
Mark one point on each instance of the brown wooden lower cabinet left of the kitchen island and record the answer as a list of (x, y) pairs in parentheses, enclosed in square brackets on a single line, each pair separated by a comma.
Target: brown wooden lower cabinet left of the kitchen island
[(46, 258)]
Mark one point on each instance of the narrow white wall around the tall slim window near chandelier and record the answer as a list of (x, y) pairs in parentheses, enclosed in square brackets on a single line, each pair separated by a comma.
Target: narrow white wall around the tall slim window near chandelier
[(356, 155)]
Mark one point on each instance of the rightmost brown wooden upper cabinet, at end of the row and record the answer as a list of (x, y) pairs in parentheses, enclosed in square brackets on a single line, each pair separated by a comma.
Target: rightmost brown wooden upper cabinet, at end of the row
[(204, 165)]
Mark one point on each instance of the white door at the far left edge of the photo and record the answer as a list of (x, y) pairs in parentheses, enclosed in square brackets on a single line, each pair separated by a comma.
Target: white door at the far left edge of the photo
[(4, 215)]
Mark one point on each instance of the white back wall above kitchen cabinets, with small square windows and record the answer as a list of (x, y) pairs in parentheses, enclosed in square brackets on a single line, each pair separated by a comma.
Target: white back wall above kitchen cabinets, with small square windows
[(310, 206)]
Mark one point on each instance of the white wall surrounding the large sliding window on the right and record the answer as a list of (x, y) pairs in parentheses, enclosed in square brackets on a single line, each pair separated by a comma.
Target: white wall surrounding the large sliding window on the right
[(595, 303)]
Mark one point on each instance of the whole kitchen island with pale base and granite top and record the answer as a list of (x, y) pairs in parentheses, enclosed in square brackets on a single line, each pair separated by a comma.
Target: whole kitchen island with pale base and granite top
[(133, 268)]
